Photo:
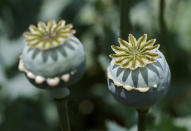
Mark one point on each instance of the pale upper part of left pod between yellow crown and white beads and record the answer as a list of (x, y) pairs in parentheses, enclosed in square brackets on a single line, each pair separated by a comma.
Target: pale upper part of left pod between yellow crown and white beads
[(54, 62)]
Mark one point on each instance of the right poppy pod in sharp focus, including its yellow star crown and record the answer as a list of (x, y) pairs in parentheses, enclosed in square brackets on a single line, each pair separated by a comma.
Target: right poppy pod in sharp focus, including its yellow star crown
[(138, 75)]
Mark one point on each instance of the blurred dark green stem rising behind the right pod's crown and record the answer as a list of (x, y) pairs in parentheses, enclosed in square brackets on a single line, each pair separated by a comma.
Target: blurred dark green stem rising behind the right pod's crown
[(125, 25)]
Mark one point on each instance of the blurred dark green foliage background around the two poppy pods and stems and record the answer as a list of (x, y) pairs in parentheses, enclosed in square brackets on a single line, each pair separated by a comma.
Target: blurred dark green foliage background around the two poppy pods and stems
[(91, 107)]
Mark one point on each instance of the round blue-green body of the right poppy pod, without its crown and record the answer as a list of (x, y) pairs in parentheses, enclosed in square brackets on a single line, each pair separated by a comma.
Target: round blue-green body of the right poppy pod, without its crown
[(140, 87)]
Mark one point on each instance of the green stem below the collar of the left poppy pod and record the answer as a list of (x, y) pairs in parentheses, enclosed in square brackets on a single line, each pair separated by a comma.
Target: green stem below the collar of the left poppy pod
[(62, 107)]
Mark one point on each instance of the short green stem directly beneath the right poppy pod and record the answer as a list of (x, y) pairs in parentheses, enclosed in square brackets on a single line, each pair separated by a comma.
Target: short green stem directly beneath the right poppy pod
[(142, 119)]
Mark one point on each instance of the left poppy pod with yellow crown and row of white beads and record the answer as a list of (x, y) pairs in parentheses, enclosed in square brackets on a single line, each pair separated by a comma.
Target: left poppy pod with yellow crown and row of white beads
[(52, 57)]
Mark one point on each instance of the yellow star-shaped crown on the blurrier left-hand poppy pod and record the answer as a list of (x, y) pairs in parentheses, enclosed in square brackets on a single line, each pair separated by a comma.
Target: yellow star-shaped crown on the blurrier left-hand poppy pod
[(48, 36)]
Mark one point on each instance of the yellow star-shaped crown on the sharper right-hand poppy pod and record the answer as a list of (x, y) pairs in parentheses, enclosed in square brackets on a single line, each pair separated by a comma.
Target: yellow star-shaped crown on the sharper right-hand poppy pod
[(135, 53)]
